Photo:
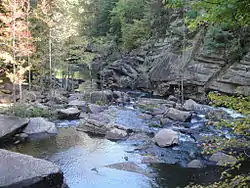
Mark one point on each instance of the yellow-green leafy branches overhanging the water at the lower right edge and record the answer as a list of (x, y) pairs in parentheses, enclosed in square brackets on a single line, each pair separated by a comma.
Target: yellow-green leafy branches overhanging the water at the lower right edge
[(234, 146)]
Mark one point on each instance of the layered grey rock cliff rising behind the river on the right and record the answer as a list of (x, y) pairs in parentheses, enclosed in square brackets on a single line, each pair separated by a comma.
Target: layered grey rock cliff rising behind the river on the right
[(161, 64)]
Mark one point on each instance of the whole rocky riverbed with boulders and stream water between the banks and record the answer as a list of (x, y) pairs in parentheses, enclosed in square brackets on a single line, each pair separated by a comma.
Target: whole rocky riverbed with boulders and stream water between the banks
[(100, 145)]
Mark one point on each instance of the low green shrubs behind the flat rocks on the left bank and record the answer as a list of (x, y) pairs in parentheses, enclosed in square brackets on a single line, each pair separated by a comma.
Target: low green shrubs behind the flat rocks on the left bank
[(25, 111)]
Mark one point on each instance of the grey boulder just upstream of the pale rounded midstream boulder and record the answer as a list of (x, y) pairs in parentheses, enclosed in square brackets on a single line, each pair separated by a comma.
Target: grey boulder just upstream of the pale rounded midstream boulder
[(178, 115)]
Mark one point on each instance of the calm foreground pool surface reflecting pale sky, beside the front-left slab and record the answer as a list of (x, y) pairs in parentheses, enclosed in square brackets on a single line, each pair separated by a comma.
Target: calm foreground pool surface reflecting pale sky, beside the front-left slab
[(77, 154)]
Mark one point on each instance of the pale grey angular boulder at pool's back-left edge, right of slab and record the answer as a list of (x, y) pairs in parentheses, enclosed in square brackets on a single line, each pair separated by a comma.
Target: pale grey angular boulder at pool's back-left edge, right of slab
[(40, 126)]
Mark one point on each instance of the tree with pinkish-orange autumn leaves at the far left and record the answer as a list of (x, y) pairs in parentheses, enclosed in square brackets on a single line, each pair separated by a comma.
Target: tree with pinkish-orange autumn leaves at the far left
[(16, 39)]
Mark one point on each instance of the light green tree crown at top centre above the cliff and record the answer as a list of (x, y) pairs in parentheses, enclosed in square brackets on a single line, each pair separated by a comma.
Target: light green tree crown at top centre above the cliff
[(128, 15)]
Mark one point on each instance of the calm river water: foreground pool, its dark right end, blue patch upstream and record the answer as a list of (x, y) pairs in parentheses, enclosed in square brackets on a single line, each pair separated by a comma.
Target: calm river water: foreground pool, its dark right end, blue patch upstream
[(83, 159)]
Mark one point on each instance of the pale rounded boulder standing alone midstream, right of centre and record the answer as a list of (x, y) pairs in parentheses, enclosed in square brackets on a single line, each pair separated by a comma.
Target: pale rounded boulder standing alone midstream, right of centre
[(166, 137)]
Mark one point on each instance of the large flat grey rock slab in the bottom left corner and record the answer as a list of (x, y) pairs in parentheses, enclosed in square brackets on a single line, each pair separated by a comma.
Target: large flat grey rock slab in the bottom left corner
[(23, 171)]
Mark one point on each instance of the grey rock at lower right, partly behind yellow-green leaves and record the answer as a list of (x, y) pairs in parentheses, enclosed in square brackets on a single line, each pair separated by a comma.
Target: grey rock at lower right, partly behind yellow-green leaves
[(223, 159)]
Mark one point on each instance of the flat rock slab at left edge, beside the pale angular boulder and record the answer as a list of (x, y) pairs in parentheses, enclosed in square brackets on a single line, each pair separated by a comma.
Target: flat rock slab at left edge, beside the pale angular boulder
[(9, 126)]
